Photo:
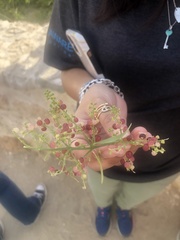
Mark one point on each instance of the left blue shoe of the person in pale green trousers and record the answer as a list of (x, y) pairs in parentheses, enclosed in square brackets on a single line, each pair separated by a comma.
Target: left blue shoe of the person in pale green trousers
[(103, 220)]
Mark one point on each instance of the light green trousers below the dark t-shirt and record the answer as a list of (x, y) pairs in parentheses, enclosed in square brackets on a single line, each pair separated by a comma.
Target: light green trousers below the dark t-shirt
[(126, 194)]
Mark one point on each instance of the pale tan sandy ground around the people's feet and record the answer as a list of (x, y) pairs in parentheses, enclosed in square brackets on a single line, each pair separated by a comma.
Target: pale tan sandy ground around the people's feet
[(69, 211)]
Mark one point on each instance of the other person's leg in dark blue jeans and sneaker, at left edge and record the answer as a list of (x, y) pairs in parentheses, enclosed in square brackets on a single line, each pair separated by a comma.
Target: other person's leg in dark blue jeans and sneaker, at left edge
[(25, 209)]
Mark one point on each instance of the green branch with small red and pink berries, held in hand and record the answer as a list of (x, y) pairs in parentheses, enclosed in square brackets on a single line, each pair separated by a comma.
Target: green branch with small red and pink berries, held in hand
[(57, 135)]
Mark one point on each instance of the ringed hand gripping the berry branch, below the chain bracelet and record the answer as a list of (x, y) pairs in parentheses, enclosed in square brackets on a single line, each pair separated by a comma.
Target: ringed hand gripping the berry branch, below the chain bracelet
[(109, 156)]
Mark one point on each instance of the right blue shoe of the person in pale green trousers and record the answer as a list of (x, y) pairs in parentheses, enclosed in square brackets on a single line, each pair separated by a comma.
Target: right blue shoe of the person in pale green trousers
[(124, 222)]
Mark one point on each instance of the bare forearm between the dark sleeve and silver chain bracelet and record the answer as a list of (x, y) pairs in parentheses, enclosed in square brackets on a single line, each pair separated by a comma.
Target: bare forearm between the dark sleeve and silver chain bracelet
[(73, 80)]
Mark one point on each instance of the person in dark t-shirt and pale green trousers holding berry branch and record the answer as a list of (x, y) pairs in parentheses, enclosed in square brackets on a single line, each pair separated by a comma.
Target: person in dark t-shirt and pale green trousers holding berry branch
[(139, 54)]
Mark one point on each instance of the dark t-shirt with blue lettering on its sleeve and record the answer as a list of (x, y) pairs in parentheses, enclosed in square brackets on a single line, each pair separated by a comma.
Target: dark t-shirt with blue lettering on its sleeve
[(129, 50)]
